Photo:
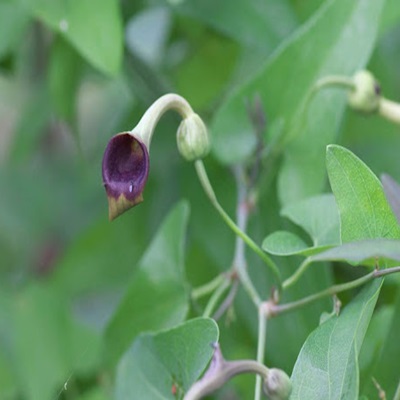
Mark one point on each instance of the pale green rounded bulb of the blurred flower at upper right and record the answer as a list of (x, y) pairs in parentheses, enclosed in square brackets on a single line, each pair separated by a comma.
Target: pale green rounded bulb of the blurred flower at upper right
[(366, 95)]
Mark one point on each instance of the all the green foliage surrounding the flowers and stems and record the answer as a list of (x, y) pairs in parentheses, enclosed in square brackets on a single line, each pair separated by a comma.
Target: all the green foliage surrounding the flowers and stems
[(93, 310)]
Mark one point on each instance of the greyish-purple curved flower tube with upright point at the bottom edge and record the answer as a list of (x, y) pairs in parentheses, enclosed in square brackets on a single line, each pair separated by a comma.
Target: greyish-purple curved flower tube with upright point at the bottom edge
[(221, 371)]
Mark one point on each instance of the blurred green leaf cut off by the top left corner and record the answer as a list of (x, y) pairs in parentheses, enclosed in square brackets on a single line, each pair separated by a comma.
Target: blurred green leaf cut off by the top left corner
[(13, 21)]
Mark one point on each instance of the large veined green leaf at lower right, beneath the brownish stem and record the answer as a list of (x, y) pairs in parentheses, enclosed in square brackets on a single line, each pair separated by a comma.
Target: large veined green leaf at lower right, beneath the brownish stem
[(327, 366)]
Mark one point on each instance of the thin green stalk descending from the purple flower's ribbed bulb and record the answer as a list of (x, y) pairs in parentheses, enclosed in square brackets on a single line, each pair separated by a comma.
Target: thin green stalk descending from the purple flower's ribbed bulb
[(203, 177)]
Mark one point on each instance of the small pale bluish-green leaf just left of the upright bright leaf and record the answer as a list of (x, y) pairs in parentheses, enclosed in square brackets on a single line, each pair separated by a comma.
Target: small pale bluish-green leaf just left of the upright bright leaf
[(318, 216)]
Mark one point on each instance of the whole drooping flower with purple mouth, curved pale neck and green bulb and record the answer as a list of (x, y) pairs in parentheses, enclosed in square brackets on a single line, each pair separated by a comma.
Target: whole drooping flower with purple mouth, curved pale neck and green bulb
[(126, 160)]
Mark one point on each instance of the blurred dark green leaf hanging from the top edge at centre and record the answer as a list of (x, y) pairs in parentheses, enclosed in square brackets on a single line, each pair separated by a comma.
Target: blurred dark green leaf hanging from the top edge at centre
[(252, 23)]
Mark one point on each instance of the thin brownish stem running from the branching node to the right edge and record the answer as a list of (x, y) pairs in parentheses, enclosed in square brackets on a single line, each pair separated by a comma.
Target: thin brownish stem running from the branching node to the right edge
[(276, 309)]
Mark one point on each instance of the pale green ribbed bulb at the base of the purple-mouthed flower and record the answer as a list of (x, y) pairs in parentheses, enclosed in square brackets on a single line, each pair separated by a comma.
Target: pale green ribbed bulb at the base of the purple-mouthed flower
[(192, 138)]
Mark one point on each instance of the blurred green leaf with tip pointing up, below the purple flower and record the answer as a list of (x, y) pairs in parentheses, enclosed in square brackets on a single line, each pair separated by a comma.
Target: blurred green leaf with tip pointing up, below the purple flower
[(156, 297)]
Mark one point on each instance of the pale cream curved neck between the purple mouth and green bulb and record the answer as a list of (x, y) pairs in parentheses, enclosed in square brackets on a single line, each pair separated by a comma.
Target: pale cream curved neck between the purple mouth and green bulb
[(145, 127)]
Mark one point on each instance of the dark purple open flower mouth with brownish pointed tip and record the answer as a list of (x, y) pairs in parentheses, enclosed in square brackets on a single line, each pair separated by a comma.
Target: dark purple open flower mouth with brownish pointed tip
[(125, 169)]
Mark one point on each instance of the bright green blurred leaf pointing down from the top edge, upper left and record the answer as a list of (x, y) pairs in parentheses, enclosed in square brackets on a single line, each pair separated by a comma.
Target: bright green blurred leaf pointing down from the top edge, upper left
[(94, 29)]
